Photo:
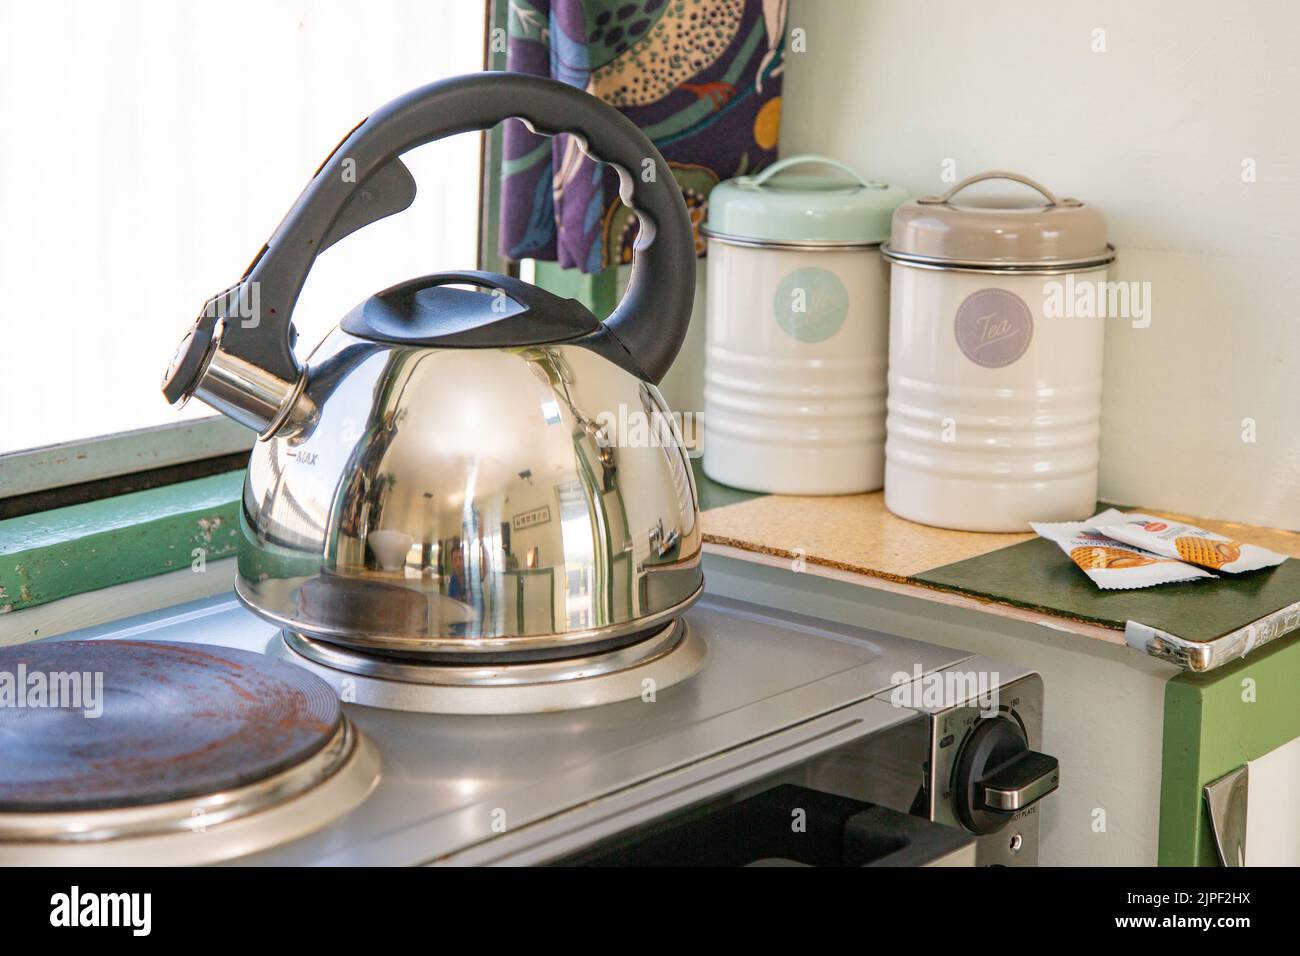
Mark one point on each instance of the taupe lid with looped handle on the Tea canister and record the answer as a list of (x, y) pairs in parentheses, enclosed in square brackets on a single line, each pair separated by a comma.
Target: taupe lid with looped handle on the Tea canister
[(1009, 233)]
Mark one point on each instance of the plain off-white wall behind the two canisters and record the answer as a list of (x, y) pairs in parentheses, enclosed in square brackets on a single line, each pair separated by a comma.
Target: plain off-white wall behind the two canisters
[(1154, 131)]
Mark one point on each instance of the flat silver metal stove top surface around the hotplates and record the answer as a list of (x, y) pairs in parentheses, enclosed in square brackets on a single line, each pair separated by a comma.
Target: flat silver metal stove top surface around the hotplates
[(488, 788)]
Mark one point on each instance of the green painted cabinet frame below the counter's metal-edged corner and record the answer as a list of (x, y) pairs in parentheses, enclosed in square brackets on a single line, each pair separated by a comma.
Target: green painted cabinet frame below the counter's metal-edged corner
[(1212, 728)]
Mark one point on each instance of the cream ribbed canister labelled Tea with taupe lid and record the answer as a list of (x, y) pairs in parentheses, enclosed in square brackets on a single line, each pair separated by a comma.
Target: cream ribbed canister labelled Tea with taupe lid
[(995, 399)]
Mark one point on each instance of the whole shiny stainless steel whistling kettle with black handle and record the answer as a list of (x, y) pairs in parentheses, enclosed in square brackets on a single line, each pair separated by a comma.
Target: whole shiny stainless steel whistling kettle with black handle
[(469, 469)]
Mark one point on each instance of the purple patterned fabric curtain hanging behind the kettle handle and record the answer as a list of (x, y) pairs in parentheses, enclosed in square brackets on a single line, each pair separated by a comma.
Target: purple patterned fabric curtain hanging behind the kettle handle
[(703, 79)]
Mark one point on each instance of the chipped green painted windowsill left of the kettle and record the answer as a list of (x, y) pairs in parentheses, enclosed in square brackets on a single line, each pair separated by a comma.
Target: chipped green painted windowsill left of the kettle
[(71, 551)]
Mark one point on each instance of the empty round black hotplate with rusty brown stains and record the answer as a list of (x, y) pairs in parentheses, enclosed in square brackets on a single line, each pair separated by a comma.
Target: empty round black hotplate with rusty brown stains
[(154, 723)]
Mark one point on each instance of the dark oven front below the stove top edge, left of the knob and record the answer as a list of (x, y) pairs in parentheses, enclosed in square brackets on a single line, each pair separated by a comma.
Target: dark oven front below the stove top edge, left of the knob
[(842, 799)]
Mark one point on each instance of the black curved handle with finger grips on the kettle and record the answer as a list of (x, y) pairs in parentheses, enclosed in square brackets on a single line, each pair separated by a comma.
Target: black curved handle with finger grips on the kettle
[(652, 319)]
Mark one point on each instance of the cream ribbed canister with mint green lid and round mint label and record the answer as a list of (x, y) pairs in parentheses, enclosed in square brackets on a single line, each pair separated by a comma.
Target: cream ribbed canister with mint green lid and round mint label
[(798, 330)]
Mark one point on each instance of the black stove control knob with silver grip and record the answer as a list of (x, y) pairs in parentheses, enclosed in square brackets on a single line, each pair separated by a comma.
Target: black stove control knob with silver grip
[(998, 776)]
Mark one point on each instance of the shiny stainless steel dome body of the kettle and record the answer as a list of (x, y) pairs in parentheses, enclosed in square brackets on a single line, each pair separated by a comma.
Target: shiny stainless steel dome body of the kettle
[(453, 503)]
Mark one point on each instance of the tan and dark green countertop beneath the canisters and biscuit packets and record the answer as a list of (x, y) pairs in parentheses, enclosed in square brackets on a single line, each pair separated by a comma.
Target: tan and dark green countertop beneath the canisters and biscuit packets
[(1198, 625)]
